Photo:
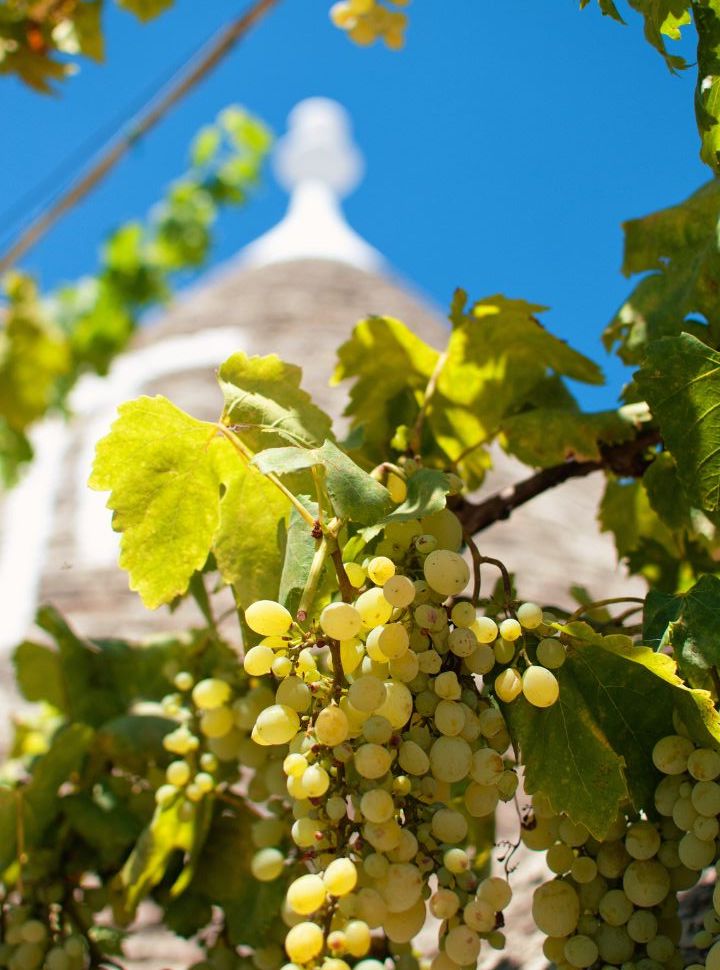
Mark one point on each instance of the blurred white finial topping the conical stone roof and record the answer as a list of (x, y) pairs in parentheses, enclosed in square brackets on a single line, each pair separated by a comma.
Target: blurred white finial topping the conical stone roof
[(319, 164)]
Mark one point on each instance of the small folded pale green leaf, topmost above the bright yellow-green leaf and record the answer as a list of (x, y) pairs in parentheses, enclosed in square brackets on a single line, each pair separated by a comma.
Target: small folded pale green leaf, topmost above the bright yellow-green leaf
[(266, 406)]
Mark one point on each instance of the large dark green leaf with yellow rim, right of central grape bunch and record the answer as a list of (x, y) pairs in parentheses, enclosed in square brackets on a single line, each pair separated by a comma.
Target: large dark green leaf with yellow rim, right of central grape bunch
[(592, 749)]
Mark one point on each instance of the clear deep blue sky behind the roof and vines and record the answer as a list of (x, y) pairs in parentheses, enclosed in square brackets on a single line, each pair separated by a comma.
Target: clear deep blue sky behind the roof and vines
[(504, 146)]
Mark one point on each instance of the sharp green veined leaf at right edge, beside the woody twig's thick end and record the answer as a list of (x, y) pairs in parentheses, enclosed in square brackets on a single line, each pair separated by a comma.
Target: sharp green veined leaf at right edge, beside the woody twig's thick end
[(681, 382)]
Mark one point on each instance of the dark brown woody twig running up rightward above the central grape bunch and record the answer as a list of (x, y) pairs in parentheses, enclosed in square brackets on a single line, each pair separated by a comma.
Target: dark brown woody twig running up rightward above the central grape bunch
[(627, 460)]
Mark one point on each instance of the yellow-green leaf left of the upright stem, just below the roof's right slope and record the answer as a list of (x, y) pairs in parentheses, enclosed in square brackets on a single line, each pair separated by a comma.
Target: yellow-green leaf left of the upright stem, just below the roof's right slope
[(391, 368)]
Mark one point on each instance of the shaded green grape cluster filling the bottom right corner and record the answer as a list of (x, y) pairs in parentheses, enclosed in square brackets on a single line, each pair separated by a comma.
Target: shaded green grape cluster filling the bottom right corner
[(614, 902)]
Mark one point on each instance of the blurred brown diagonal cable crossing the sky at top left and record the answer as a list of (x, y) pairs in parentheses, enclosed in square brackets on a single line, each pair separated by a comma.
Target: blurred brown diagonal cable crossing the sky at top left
[(207, 58)]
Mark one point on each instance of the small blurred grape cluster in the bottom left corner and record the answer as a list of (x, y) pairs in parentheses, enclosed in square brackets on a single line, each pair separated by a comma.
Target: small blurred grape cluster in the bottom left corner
[(35, 941)]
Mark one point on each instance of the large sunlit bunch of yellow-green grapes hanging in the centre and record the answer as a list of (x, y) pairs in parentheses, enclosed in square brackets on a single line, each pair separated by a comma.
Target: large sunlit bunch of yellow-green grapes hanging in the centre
[(390, 746)]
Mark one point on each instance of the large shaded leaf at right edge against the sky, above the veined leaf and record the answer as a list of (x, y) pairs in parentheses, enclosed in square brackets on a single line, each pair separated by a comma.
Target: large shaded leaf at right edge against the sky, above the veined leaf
[(678, 248)]
